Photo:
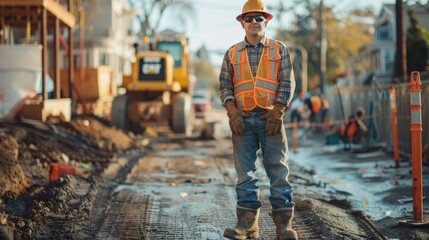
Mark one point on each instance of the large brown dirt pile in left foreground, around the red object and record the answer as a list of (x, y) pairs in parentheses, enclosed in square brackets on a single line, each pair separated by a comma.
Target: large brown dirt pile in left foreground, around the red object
[(37, 207)]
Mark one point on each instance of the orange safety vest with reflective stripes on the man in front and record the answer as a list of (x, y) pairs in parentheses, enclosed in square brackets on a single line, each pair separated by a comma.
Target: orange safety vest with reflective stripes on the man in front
[(260, 90)]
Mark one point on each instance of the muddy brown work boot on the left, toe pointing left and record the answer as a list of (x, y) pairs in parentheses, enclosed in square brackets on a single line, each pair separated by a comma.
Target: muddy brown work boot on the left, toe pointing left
[(247, 225)]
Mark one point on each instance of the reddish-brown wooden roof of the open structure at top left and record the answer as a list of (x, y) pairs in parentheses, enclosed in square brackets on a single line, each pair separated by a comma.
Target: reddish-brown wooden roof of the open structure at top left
[(19, 12)]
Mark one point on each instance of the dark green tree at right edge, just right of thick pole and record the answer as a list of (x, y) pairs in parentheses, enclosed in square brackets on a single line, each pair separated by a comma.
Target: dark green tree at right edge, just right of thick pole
[(417, 45)]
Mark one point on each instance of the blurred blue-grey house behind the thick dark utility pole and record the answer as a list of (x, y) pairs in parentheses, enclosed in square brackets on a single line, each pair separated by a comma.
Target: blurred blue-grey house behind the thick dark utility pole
[(377, 59)]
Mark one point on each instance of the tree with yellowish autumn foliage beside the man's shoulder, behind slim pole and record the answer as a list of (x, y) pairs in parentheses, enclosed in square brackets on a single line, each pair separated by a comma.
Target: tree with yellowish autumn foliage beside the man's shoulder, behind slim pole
[(345, 35)]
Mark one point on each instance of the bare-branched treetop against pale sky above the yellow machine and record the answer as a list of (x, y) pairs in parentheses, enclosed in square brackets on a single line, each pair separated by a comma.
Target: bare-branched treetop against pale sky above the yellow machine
[(154, 11)]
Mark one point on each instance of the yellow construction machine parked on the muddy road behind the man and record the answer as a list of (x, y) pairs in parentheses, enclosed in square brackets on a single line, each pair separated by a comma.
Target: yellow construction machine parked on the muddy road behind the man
[(159, 90)]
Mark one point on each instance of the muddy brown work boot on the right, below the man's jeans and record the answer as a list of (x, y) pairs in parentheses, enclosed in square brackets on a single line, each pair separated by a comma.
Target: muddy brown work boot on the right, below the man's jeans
[(282, 218)]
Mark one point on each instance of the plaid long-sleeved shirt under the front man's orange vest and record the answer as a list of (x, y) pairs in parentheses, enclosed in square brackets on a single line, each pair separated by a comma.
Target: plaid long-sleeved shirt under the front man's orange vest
[(286, 86)]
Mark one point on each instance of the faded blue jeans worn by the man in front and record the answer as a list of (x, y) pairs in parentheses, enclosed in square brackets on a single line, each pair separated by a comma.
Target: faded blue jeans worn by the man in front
[(275, 160)]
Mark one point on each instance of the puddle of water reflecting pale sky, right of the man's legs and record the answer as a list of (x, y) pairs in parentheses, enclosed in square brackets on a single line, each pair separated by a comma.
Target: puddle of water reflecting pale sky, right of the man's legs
[(364, 182)]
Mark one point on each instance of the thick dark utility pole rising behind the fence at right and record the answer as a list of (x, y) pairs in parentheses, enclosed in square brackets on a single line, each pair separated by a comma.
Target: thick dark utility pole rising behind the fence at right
[(401, 52)]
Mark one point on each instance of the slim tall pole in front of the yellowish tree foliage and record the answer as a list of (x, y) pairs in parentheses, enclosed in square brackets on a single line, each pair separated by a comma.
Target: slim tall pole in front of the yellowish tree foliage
[(323, 46)]
